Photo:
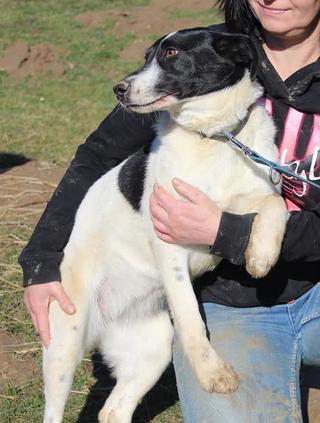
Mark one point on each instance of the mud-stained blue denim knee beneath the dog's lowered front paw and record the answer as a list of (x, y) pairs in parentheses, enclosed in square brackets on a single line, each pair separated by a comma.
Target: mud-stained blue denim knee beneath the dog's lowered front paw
[(263, 363)]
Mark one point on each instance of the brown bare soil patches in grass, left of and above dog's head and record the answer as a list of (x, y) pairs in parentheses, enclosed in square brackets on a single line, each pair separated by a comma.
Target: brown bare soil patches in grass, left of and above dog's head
[(21, 60)]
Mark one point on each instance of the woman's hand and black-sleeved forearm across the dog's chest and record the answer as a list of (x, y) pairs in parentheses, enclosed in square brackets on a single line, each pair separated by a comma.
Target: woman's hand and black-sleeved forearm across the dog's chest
[(227, 234)]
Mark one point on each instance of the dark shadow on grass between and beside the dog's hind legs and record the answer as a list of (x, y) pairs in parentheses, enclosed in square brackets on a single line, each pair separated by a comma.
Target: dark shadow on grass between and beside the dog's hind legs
[(162, 395)]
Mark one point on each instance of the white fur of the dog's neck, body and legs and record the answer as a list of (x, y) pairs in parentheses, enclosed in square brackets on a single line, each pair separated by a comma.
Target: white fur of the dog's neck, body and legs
[(118, 272)]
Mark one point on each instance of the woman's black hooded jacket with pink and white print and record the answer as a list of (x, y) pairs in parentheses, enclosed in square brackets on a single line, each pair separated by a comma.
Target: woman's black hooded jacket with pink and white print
[(121, 134)]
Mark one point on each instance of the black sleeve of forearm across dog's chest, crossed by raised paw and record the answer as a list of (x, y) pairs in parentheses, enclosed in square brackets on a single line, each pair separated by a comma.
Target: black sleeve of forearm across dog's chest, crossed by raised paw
[(301, 242)]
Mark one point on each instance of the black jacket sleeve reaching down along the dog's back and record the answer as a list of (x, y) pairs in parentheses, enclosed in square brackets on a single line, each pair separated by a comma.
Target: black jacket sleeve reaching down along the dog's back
[(118, 136)]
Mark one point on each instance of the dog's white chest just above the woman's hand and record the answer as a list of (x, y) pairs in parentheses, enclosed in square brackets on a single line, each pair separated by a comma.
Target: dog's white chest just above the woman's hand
[(210, 165)]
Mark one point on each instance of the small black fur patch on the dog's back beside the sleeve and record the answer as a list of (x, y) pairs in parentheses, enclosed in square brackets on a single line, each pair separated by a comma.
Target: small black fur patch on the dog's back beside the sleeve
[(131, 177)]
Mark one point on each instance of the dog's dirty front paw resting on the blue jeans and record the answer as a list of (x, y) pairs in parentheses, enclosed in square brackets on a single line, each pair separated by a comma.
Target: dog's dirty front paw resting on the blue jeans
[(216, 376)]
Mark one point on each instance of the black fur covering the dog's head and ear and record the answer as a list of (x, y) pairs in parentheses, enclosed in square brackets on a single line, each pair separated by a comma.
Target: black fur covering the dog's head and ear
[(206, 61)]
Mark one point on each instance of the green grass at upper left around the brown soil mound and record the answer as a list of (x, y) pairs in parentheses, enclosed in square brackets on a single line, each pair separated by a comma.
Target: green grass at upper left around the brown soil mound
[(43, 117)]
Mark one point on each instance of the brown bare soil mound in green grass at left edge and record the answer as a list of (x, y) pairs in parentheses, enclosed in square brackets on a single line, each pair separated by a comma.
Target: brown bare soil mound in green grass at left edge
[(21, 60)]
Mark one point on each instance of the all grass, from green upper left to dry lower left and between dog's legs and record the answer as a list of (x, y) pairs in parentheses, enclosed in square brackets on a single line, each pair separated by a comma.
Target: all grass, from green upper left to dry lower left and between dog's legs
[(45, 118)]
